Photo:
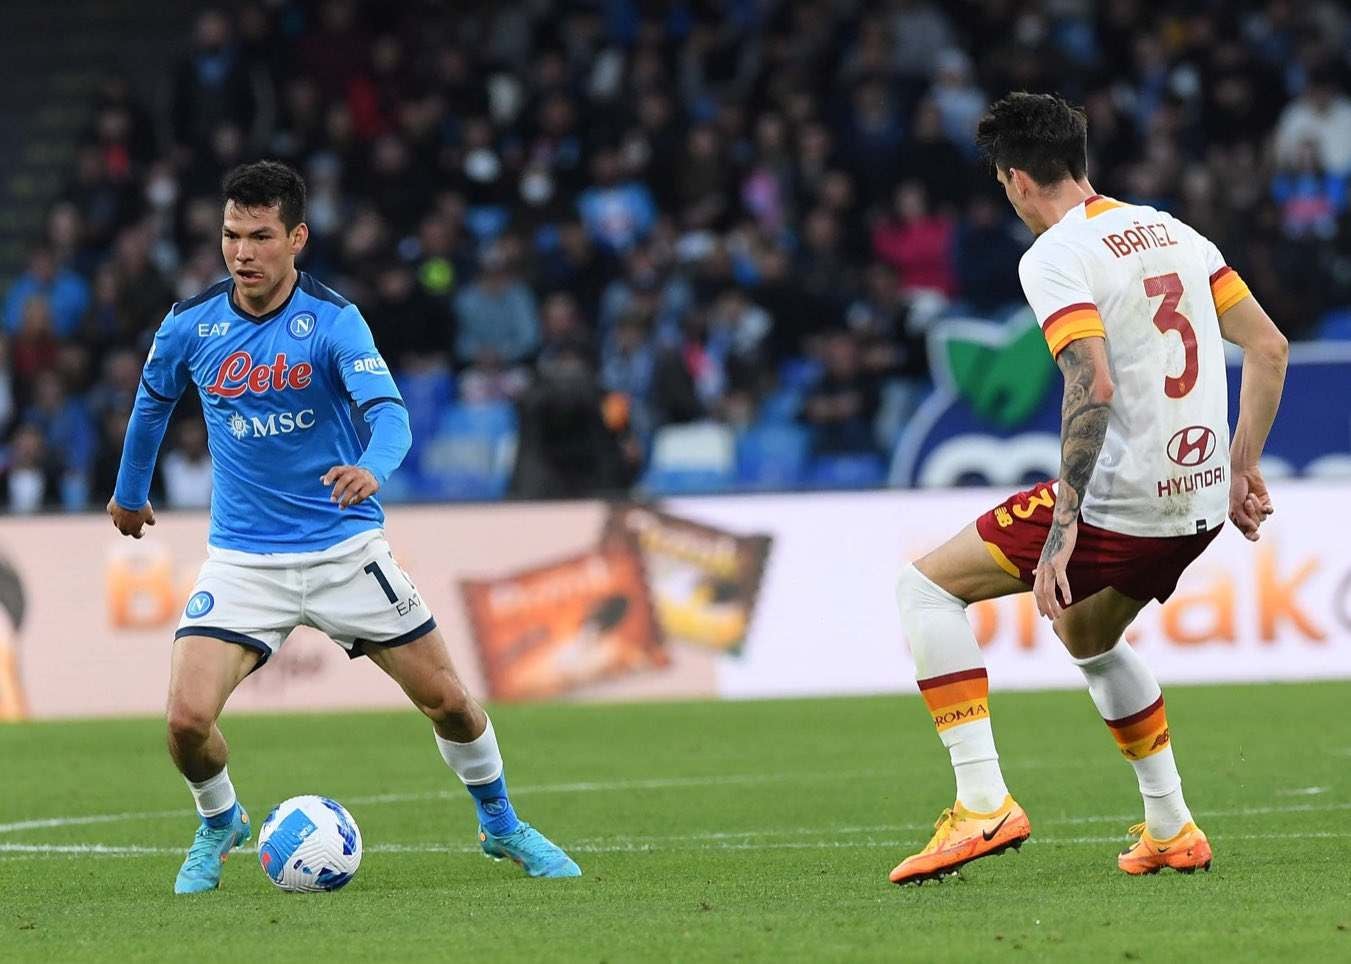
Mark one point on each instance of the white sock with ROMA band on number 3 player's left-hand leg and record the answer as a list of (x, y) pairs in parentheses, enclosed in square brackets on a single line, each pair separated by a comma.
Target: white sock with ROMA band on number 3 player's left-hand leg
[(950, 673)]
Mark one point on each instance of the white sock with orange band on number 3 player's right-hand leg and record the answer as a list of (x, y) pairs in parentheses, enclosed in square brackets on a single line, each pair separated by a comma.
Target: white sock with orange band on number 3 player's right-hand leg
[(1130, 700)]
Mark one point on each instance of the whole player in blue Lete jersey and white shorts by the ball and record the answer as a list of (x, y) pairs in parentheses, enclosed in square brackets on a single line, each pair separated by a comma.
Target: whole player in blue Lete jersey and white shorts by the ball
[(297, 534)]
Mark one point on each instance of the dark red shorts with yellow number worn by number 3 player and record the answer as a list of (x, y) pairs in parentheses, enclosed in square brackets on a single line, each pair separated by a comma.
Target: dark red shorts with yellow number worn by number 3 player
[(1142, 568)]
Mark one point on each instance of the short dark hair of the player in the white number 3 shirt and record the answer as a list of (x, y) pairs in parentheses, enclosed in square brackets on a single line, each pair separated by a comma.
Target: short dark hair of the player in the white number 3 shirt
[(1037, 133)]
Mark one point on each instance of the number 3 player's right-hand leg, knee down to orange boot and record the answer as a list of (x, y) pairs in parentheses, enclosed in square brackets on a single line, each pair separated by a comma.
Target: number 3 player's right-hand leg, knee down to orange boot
[(1131, 703)]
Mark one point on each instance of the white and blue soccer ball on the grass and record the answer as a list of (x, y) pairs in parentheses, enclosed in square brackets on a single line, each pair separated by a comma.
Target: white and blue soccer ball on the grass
[(310, 845)]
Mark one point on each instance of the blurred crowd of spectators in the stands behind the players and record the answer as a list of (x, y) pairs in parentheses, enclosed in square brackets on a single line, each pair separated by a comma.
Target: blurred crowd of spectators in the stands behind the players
[(619, 217)]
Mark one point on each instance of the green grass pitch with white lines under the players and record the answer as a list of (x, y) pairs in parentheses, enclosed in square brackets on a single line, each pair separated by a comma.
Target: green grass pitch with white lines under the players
[(707, 831)]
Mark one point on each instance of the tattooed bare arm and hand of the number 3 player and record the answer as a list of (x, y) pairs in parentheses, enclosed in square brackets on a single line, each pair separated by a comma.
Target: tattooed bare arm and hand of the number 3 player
[(1084, 415)]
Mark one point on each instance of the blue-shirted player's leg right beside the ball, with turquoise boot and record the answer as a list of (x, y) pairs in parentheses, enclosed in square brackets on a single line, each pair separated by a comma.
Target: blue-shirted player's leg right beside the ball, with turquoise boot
[(203, 674)]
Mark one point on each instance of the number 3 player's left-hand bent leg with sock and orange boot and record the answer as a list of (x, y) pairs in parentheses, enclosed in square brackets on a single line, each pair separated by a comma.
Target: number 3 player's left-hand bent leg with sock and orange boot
[(933, 596)]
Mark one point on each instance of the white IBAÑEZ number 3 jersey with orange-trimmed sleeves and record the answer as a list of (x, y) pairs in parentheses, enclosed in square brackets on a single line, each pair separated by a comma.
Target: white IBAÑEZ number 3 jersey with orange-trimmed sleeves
[(1154, 290)]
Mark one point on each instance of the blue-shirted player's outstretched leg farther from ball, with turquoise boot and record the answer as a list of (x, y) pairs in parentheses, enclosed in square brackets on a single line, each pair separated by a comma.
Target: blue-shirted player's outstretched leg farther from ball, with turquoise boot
[(469, 746)]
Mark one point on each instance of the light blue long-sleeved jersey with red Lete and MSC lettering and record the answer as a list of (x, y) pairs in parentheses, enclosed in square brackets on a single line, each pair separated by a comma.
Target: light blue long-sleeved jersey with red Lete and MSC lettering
[(279, 394)]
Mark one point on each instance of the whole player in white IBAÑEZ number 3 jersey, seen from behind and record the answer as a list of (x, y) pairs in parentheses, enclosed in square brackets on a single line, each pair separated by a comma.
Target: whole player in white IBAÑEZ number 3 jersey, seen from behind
[(1134, 306)]
